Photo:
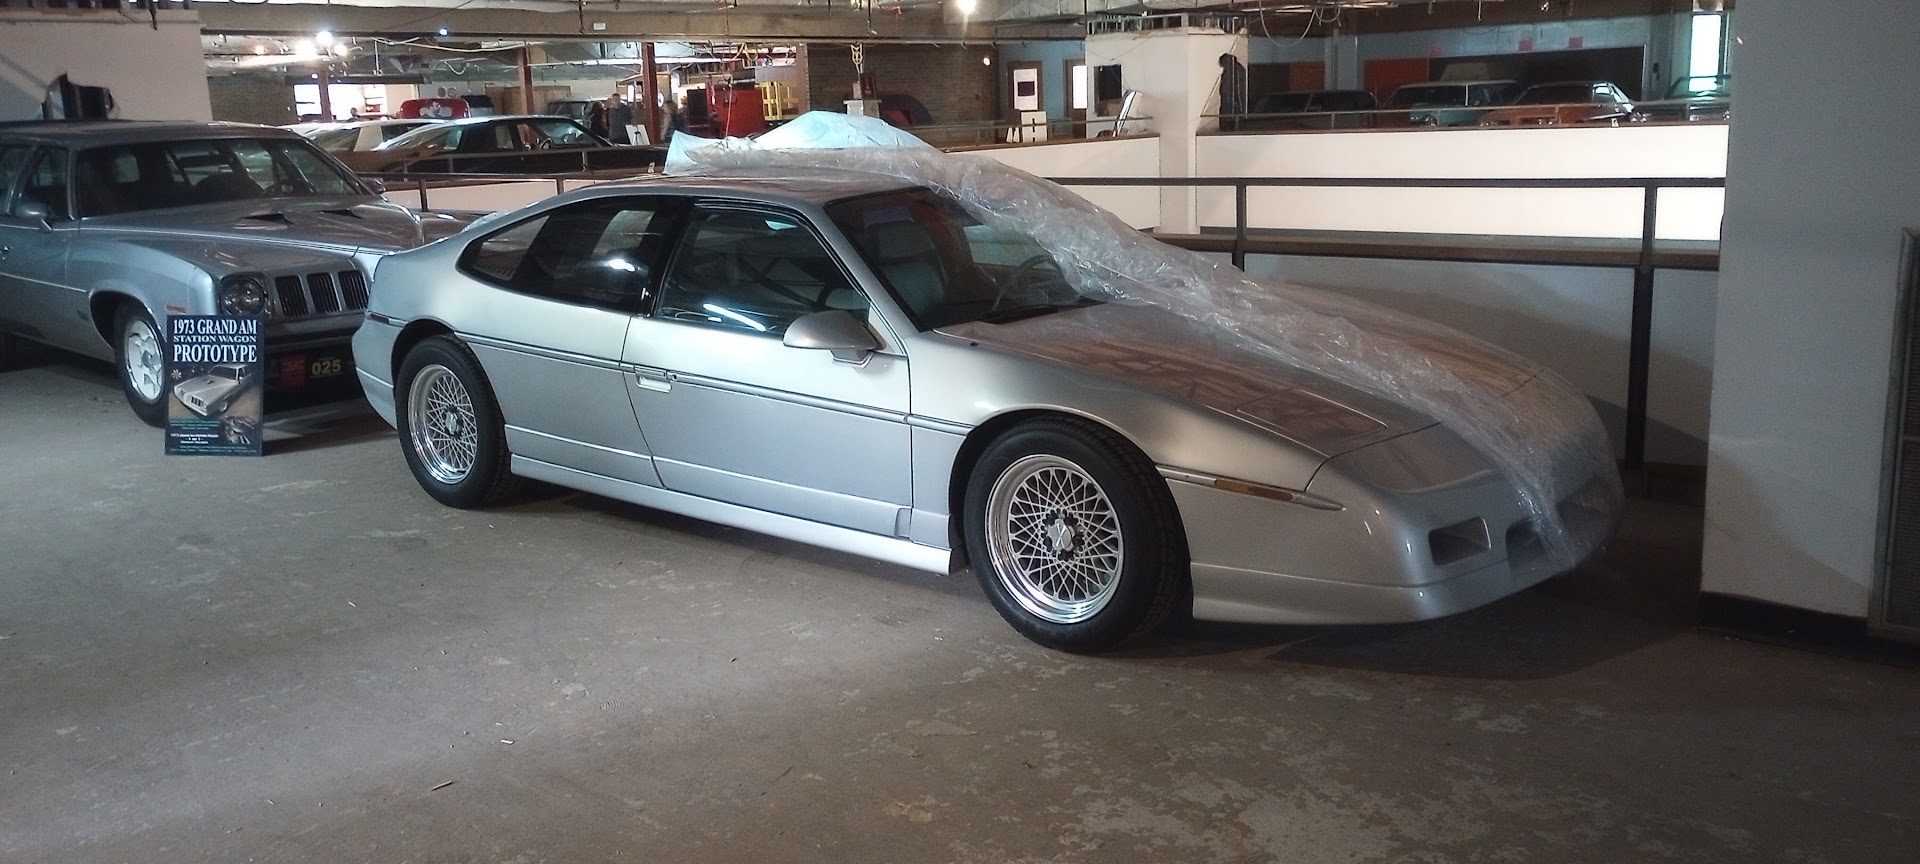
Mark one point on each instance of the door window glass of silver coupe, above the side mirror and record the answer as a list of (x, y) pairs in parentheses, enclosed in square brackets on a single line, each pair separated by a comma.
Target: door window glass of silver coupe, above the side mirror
[(754, 272)]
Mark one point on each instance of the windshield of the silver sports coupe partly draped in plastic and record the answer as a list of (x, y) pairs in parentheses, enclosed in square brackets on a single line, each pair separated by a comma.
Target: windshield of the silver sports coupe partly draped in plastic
[(948, 268)]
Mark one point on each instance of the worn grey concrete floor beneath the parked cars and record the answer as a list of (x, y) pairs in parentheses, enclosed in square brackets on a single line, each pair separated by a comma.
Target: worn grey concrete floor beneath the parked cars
[(304, 660)]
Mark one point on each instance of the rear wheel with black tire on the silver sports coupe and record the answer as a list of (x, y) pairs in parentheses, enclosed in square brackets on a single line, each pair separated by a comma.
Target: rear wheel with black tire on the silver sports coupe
[(450, 427)]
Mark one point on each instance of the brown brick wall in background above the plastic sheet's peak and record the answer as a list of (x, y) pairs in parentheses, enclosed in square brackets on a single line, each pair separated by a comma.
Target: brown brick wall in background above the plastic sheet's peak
[(949, 80)]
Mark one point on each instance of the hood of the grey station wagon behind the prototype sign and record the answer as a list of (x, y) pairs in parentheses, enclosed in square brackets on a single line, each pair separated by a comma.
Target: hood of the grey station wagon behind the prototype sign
[(335, 224)]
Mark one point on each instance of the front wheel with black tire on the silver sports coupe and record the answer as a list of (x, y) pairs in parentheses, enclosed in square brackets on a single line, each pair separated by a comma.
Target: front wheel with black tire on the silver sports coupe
[(1084, 581)]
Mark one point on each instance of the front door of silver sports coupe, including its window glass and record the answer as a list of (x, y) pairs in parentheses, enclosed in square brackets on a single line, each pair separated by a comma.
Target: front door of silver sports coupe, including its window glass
[(736, 416)]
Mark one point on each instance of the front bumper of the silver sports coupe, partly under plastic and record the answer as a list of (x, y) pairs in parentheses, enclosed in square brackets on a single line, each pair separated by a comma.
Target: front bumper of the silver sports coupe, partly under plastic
[(1445, 535)]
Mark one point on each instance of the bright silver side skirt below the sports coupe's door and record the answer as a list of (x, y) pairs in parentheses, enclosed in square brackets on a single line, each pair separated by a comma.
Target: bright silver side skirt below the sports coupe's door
[(848, 540)]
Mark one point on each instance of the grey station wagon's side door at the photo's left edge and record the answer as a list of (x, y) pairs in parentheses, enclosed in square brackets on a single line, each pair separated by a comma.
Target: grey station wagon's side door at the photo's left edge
[(34, 260)]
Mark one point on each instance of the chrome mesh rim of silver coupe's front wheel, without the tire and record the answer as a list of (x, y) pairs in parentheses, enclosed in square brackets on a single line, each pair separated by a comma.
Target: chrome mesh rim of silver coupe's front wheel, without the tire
[(1055, 539)]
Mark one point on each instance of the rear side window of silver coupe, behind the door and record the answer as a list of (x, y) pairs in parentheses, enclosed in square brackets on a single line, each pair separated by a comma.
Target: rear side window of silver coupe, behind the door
[(600, 252)]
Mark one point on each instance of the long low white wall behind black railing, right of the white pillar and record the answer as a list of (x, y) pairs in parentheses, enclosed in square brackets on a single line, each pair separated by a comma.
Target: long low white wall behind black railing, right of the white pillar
[(1664, 151)]
